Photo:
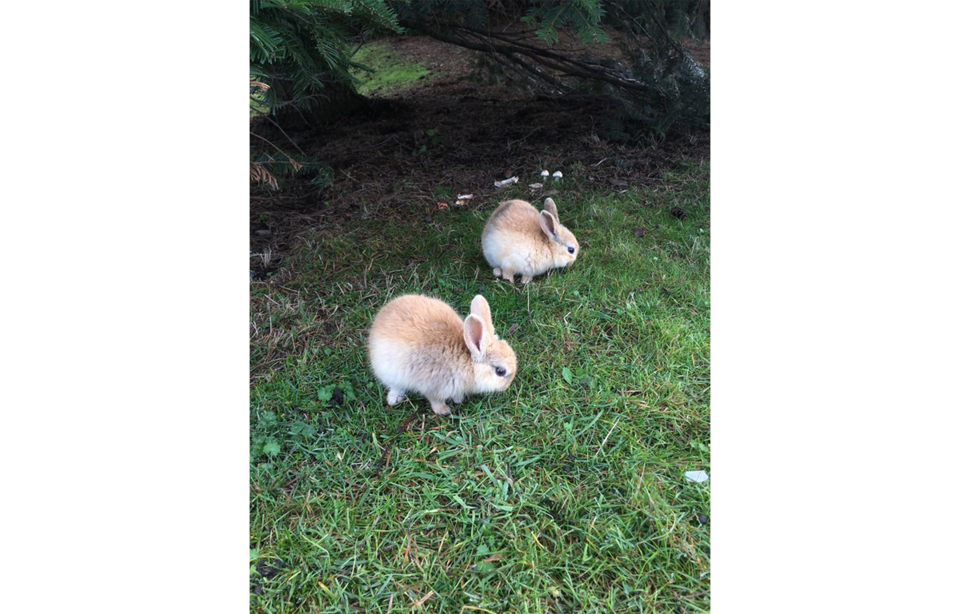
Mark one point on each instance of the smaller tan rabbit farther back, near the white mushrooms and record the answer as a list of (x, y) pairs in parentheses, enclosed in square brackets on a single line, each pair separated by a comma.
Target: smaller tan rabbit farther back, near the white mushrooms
[(517, 239)]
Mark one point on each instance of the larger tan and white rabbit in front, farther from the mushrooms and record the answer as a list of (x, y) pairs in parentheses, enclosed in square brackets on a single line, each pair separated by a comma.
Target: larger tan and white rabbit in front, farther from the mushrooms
[(420, 344)]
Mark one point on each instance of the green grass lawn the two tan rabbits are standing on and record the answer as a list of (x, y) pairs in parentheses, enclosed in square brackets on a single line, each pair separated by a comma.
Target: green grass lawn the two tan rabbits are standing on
[(564, 494)]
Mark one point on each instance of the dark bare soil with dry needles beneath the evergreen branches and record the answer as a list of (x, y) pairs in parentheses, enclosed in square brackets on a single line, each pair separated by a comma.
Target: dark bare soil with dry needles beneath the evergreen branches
[(385, 163)]
